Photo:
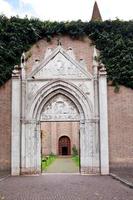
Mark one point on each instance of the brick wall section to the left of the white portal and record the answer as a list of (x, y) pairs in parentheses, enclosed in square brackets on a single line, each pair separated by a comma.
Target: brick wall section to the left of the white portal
[(5, 126)]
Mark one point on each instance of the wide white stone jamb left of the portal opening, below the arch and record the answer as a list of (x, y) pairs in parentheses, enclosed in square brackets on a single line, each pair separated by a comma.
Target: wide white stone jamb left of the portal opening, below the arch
[(32, 154)]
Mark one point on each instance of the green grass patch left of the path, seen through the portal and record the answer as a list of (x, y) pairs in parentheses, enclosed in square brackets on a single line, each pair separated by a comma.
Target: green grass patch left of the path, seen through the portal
[(46, 161)]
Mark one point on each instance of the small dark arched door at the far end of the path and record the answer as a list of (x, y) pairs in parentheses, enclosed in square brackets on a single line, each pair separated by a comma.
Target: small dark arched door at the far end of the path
[(64, 146)]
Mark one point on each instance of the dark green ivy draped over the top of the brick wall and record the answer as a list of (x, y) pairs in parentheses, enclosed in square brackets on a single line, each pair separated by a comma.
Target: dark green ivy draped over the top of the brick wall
[(114, 39)]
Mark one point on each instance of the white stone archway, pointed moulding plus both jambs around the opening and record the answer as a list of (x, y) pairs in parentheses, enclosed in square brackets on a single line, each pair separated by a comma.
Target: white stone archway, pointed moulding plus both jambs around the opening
[(83, 105)]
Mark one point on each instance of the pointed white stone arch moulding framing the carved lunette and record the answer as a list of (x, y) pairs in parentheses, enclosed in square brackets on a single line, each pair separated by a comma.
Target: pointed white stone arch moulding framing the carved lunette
[(53, 88)]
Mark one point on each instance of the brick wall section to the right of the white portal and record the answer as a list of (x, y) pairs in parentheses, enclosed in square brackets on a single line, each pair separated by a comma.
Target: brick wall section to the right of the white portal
[(120, 111)]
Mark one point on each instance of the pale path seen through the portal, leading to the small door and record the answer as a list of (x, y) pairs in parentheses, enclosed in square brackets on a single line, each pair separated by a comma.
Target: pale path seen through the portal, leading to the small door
[(63, 165)]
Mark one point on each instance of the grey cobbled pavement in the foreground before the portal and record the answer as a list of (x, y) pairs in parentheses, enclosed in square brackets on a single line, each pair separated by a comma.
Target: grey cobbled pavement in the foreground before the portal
[(64, 187)]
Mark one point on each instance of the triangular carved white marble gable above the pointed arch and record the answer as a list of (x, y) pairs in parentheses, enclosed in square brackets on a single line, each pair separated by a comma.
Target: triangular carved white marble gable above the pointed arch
[(59, 64)]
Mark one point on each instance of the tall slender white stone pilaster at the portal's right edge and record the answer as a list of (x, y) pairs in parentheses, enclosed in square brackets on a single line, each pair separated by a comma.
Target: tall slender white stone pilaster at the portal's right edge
[(104, 151)]
